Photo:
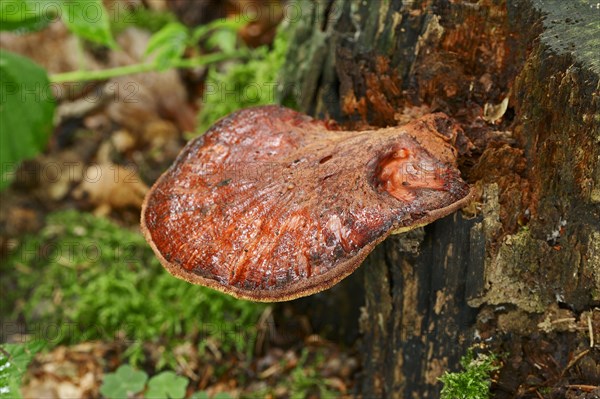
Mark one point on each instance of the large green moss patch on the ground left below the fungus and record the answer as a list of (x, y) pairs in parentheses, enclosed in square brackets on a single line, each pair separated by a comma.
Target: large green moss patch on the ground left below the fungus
[(84, 278)]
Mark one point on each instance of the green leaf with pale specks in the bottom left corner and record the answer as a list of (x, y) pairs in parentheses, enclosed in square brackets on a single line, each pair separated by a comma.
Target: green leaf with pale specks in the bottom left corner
[(14, 359)]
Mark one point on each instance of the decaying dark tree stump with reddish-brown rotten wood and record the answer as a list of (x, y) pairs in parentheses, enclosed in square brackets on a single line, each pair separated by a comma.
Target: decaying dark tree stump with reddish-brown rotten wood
[(519, 270)]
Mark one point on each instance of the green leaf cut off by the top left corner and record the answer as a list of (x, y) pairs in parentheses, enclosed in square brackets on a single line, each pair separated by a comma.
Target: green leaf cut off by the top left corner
[(26, 15)]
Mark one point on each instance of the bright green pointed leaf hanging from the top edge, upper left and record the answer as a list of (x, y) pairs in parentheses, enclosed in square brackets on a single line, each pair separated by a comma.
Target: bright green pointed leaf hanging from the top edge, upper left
[(89, 20)]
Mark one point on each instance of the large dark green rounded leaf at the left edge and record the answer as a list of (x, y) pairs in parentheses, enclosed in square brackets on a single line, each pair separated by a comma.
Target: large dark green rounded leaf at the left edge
[(26, 112)]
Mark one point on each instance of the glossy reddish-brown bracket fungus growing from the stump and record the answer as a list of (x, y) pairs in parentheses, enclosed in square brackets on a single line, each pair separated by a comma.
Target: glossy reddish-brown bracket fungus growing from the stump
[(271, 205)]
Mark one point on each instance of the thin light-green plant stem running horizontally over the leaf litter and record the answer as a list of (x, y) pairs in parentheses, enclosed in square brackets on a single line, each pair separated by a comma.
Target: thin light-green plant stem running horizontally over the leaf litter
[(81, 76)]
